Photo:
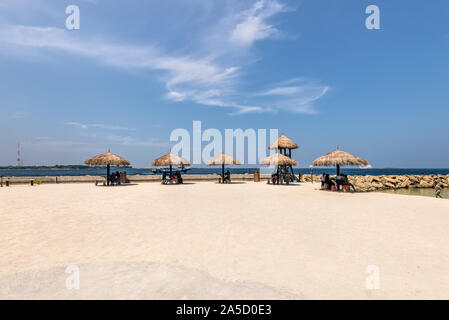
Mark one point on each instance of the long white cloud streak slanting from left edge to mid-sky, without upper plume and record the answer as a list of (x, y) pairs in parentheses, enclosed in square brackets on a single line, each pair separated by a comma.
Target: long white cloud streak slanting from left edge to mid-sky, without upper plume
[(185, 77)]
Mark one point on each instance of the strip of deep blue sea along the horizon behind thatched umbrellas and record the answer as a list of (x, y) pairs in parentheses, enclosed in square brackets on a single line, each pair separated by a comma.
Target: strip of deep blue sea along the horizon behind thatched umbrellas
[(17, 172)]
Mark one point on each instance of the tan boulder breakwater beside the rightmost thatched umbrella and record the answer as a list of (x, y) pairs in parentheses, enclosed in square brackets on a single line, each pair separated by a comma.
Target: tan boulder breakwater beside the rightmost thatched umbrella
[(385, 182)]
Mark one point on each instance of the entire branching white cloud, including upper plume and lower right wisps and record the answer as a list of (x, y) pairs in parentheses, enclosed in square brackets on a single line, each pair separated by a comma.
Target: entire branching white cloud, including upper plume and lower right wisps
[(210, 78)]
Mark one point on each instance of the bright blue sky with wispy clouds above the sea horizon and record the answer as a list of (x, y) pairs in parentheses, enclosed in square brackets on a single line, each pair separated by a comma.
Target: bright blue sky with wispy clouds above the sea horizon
[(136, 70)]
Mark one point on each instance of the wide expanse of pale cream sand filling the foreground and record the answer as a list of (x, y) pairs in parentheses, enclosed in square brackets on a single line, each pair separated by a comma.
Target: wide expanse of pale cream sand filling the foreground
[(211, 241)]
